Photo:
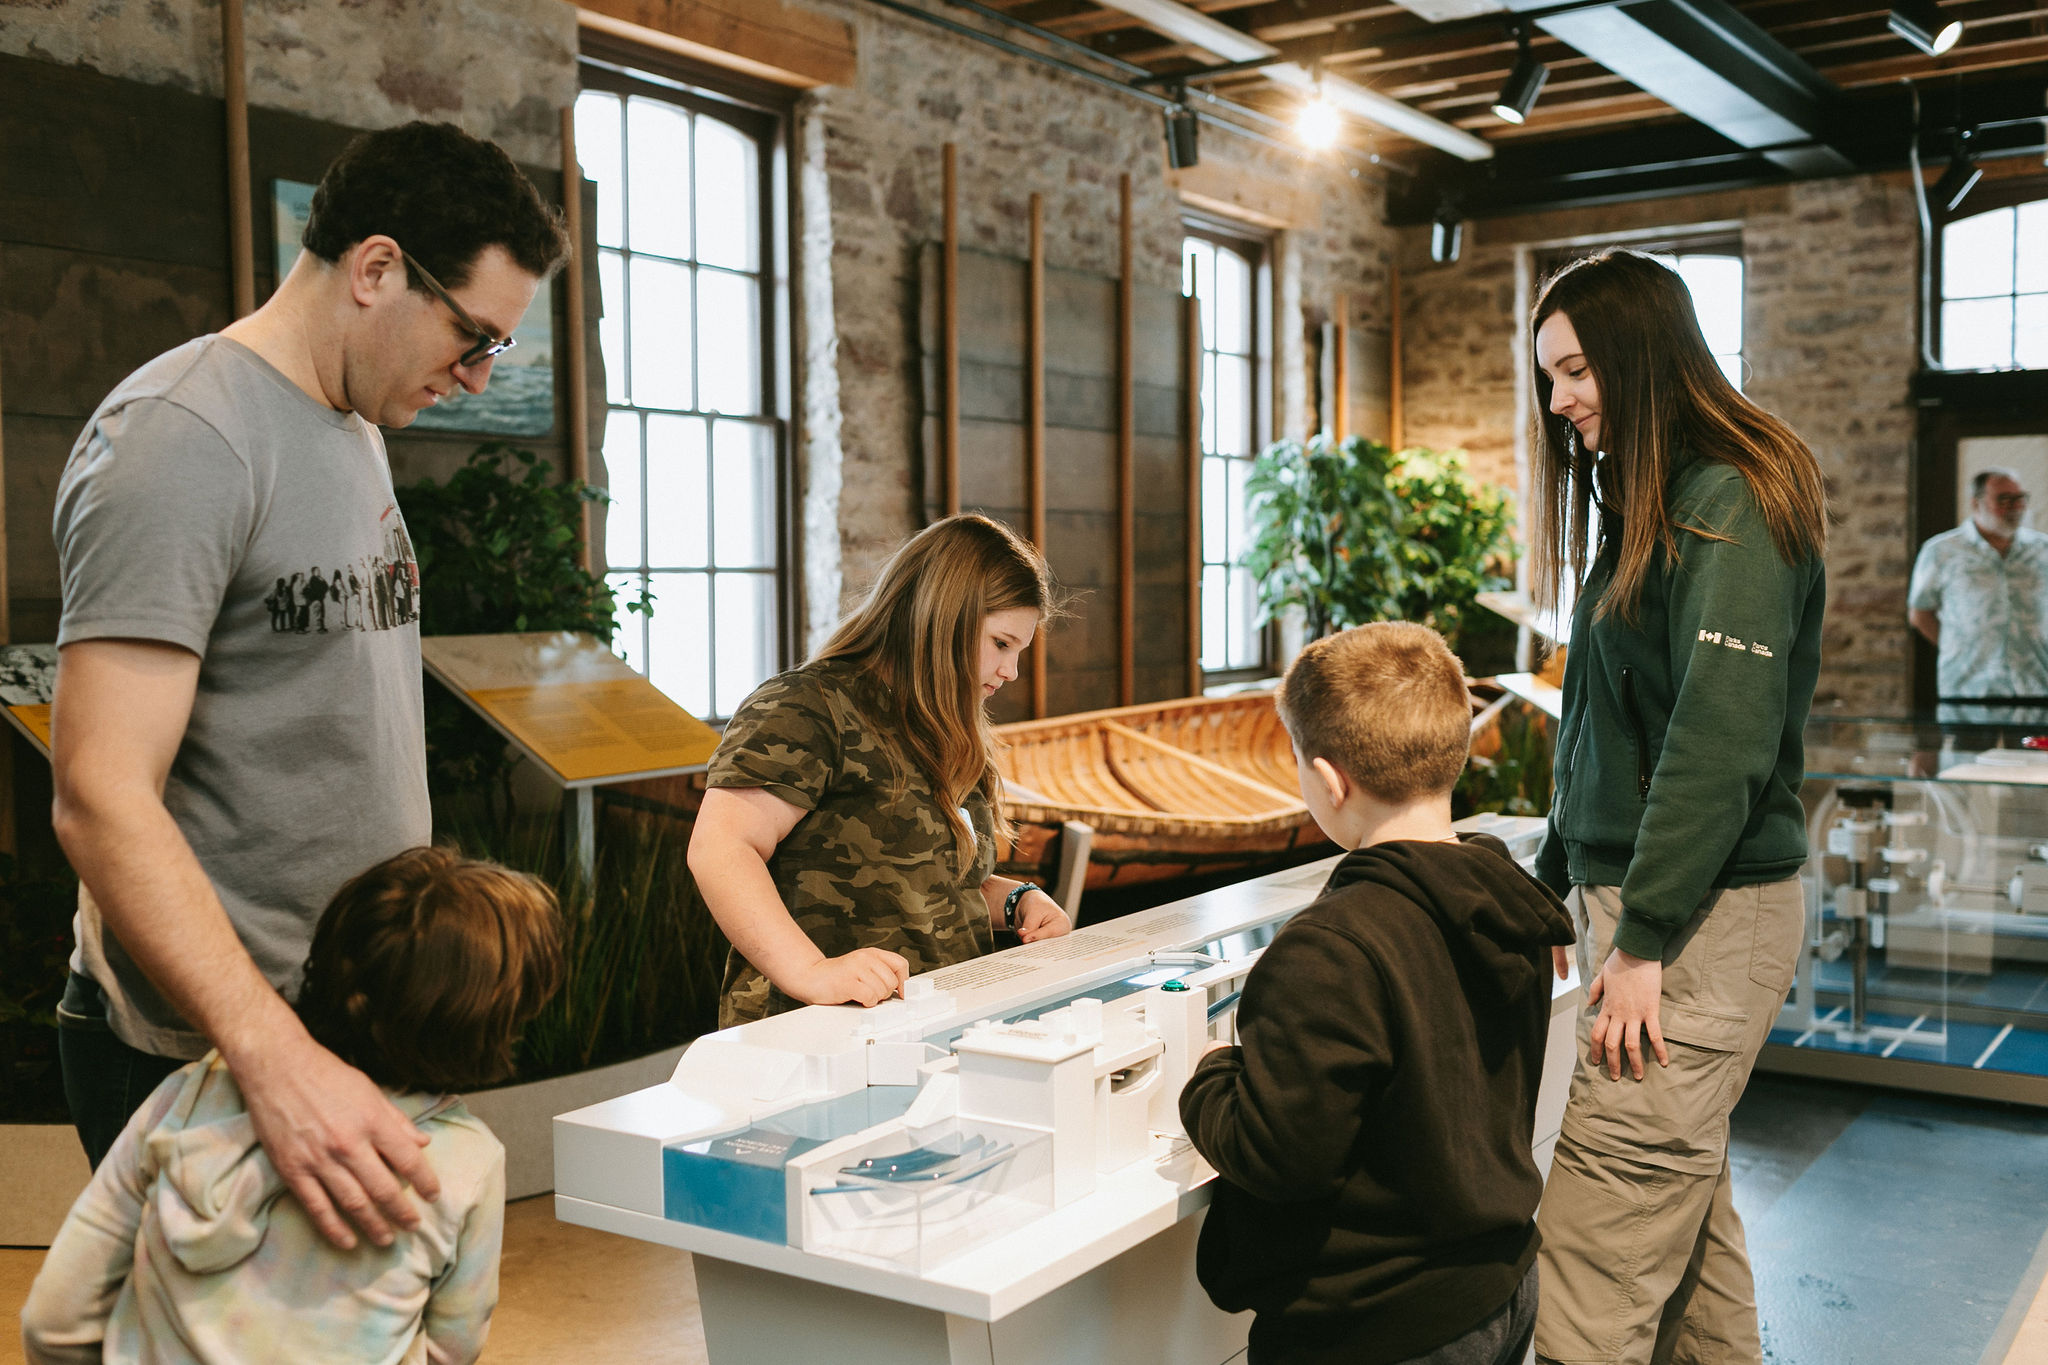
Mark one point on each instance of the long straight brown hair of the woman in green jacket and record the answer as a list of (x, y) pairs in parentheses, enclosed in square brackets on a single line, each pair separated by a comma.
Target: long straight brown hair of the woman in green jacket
[(1660, 394)]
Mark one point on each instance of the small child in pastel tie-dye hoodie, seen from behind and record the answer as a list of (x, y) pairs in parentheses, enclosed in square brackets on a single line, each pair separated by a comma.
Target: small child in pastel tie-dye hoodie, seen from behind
[(189, 1249)]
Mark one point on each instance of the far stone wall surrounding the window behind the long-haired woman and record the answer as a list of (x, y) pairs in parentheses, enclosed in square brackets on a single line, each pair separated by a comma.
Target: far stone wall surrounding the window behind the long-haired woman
[(1830, 337)]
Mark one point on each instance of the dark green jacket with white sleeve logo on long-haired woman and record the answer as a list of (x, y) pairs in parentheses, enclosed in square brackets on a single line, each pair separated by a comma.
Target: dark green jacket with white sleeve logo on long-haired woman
[(1682, 754)]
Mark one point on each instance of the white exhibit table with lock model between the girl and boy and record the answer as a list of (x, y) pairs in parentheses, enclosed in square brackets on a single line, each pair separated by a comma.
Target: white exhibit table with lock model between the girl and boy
[(1099, 1270)]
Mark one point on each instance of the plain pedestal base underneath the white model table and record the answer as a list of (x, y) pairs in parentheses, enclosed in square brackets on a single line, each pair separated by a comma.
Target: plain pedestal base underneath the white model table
[(1140, 1309)]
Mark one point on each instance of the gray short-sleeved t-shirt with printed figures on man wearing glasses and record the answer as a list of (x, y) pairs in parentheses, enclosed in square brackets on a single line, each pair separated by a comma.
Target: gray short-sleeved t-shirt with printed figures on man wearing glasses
[(214, 507)]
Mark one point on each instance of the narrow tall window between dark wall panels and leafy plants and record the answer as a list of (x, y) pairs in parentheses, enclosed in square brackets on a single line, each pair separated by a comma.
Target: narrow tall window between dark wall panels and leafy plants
[(1224, 273)]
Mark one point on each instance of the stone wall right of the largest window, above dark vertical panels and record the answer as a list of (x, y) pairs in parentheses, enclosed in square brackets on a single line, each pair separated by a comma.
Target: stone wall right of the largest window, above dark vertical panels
[(1021, 128)]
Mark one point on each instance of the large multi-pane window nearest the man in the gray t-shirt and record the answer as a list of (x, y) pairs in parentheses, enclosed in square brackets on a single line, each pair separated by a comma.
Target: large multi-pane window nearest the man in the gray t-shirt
[(693, 445)]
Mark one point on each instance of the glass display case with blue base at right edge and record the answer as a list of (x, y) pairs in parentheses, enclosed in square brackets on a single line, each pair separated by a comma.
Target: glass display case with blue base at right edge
[(1926, 959)]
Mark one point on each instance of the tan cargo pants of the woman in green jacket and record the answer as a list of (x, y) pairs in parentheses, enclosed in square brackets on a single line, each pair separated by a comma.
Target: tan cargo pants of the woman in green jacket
[(1644, 1256)]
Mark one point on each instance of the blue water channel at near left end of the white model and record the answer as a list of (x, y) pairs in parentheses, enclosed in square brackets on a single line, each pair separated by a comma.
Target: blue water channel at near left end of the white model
[(734, 1182)]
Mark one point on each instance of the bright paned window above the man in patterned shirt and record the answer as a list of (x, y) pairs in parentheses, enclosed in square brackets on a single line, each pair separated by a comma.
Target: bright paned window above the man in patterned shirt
[(1996, 290)]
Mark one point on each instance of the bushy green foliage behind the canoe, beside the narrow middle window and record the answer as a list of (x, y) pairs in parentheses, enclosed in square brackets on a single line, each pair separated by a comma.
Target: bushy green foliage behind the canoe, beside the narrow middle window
[(1353, 533)]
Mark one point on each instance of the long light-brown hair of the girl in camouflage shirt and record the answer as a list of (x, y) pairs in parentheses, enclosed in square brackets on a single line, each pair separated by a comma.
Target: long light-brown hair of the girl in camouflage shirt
[(919, 633)]
